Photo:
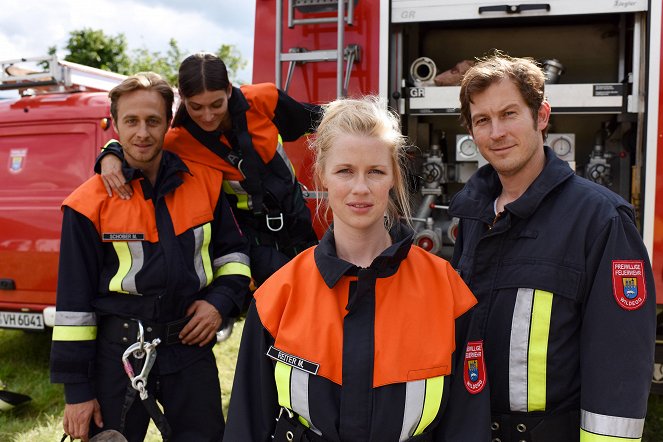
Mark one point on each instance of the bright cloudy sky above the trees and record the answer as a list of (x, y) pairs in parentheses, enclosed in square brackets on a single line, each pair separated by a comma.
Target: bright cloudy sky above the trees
[(28, 28)]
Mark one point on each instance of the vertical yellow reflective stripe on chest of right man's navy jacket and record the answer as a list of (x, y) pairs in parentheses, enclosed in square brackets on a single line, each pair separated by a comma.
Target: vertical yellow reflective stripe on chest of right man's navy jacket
[(538, 351)]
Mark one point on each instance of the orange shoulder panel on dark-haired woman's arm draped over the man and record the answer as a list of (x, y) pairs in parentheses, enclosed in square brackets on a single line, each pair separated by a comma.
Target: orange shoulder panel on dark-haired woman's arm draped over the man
[(180, 141)]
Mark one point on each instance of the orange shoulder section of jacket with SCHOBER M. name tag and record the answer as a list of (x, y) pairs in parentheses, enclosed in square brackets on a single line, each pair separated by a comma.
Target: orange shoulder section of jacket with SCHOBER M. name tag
[(190, 205)]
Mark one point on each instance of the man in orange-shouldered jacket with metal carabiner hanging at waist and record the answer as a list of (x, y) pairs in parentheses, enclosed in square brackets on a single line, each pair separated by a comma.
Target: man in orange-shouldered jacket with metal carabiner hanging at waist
[(155, 274)]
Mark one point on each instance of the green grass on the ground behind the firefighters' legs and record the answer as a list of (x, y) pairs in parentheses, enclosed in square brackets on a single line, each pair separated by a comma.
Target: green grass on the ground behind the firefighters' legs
[(24, 369)]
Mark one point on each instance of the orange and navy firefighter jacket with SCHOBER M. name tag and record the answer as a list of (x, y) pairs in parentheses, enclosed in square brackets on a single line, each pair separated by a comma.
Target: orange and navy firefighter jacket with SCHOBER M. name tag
[(146, 258)]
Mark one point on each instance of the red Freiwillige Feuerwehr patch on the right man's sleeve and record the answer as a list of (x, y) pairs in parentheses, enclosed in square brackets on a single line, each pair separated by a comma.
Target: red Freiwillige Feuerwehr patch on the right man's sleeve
[(628, 284)]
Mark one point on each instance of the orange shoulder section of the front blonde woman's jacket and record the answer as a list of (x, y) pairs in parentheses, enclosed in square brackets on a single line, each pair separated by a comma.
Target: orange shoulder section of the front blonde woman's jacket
[(415, 310)]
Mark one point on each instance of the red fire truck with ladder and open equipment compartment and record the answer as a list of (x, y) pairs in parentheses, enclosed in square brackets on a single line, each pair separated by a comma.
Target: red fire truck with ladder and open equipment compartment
[(602, 61)]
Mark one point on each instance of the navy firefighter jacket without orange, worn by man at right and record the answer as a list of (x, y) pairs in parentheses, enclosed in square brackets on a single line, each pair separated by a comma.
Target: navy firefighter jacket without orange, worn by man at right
[(566, 306)]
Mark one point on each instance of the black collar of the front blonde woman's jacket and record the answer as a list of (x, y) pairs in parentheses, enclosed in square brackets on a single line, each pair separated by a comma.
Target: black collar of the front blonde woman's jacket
[(332, 268)]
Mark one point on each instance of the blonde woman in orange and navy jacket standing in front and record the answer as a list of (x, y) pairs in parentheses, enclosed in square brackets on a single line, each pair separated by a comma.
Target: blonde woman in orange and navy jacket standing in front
[(353, 339)]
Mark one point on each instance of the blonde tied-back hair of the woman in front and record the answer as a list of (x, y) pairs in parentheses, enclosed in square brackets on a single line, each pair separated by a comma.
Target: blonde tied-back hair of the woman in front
[(370, 117)]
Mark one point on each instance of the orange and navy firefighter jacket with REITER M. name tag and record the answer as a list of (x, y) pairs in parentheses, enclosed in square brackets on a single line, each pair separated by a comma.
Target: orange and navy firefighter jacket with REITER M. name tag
[(359, 354)]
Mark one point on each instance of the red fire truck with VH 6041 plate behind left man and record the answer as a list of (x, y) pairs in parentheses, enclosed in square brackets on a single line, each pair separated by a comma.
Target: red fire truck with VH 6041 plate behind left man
[(50, 134)]
